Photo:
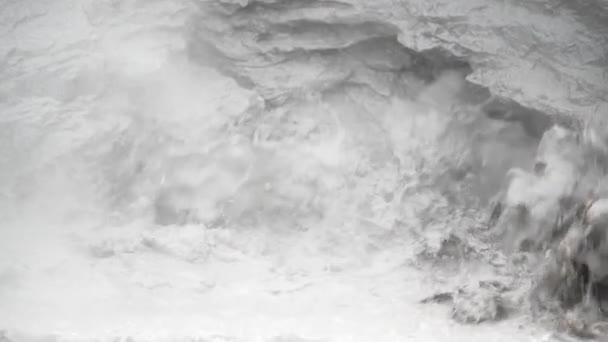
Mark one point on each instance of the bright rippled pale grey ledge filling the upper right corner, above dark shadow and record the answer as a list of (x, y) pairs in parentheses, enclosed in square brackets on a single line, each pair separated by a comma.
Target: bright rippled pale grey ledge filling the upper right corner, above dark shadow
[(561, 34)]
